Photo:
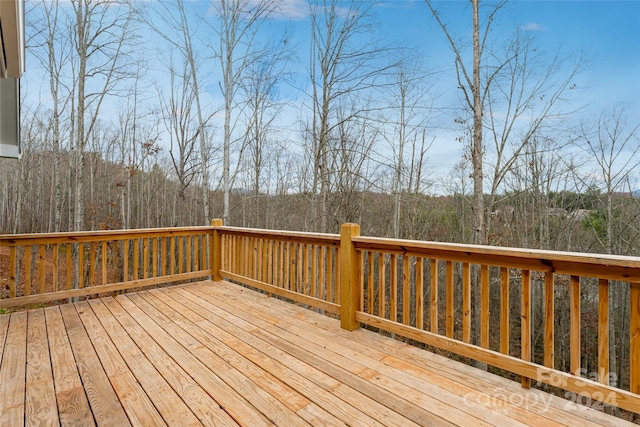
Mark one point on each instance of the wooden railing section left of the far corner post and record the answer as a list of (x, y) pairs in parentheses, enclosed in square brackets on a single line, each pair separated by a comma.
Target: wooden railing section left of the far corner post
[(55, 266)]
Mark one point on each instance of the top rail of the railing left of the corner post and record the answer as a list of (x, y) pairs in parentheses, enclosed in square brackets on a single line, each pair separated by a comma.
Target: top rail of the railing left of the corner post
[(96, 235)]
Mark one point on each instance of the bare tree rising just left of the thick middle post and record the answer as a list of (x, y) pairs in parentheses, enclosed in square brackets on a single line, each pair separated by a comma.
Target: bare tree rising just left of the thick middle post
[(342, 70)]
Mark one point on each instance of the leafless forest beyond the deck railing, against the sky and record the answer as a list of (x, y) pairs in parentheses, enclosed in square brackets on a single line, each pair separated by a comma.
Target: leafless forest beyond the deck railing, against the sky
[(155, 114)]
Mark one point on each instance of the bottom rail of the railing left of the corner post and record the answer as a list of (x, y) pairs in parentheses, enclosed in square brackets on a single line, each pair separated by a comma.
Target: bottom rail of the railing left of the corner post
[(92, 290)]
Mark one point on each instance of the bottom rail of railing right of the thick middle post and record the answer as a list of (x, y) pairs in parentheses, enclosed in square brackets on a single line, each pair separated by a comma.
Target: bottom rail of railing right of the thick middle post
[(581, 386)]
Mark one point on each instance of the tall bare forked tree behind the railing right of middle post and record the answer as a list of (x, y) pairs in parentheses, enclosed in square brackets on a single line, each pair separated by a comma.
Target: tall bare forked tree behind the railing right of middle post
[(509, 93)]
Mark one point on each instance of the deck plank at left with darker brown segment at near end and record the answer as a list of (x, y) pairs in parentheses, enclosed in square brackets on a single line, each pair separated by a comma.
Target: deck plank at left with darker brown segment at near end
[(73, 407)]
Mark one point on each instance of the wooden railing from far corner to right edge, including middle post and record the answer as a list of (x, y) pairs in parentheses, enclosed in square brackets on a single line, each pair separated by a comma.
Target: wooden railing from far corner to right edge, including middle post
[(443, 295)]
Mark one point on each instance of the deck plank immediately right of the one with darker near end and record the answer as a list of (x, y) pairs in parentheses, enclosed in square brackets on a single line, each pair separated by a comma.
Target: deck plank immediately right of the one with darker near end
[(104, 403)]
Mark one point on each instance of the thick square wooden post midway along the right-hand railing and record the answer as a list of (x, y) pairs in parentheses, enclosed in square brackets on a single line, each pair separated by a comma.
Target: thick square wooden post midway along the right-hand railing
[(349, 277)]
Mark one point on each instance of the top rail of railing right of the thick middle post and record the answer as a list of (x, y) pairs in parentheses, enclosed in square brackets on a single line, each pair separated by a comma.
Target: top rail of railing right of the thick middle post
[(615, 267)]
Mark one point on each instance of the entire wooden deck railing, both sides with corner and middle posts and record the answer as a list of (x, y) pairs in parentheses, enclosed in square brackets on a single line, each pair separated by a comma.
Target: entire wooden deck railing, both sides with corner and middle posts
[(468, 300)]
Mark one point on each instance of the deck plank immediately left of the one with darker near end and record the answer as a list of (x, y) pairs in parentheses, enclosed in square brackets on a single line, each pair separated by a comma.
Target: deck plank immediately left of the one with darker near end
[(40, 399)]
